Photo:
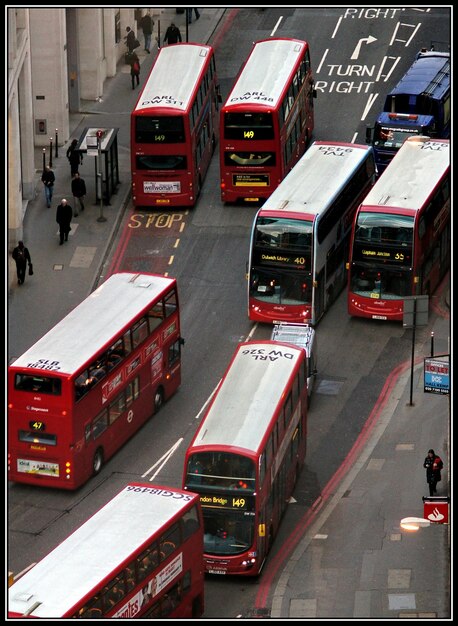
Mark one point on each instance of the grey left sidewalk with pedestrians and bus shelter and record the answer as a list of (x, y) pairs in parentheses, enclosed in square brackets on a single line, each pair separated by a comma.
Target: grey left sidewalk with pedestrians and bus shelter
[(65, 275)]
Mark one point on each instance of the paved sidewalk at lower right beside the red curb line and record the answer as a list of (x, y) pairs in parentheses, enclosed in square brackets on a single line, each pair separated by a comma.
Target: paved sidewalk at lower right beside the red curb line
[(354, 560)]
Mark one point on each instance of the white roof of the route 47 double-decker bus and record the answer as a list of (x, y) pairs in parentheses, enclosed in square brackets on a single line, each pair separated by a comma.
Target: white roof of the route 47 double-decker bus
[(92, 324)]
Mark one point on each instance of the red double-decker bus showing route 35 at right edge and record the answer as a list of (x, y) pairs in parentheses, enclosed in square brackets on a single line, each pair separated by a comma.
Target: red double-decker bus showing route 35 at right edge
[(401, 237)]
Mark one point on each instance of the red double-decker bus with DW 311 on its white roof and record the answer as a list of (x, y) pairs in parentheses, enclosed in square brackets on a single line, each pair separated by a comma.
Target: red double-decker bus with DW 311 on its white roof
[(175, 127)]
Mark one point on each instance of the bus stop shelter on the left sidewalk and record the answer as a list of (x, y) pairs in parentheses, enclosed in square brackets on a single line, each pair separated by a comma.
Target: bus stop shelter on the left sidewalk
[(102, 143)]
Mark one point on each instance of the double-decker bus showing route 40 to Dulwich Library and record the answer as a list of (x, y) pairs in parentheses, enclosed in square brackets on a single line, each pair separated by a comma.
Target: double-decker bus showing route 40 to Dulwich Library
[(301, 235)]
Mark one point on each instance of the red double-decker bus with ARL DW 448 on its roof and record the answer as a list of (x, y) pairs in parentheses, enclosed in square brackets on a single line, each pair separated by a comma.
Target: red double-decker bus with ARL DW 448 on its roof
[(267, 120)]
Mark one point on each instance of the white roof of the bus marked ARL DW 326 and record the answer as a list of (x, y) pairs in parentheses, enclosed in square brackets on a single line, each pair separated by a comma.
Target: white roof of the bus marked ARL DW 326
[(248, 395)]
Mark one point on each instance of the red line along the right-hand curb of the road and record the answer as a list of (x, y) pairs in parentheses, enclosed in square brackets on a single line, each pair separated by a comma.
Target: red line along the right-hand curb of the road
[(329, 489)]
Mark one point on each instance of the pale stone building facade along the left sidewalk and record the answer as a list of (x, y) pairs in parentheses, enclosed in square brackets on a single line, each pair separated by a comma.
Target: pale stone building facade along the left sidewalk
[(56, 57)]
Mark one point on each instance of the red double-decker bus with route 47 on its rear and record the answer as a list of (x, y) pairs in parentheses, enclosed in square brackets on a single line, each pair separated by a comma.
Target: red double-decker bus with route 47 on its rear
[(78, 394)]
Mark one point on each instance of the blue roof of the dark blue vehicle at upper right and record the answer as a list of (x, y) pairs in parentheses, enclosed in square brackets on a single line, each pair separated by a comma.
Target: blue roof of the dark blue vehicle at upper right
[(428, 75)]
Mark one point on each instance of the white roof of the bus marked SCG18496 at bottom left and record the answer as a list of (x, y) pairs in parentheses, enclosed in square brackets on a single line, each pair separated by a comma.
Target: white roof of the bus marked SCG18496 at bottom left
[(96, 549)]
